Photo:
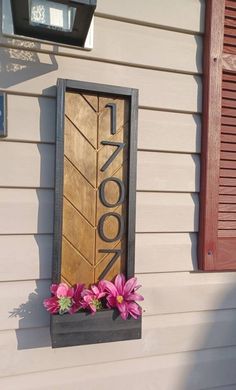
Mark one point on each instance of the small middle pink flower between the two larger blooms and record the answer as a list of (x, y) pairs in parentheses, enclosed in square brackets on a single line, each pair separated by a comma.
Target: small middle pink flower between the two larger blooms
[(92, 297)]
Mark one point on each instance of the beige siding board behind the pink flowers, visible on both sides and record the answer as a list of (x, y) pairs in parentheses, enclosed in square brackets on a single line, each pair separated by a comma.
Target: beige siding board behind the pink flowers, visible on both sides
[(165, 293)]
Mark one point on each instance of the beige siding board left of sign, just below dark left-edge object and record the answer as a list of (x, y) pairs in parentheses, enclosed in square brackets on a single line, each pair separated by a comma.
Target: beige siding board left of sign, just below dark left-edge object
[(28, 165)]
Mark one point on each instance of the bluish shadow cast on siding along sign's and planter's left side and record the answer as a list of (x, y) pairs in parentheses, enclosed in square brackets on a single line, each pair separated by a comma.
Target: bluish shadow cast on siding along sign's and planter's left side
[(31, 313)]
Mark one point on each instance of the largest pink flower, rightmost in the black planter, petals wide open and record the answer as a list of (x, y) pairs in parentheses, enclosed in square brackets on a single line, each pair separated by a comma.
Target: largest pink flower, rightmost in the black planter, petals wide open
[(122, 295)]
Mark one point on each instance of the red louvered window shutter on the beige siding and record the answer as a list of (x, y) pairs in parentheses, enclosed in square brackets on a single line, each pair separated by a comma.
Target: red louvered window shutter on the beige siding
[(217, 236)]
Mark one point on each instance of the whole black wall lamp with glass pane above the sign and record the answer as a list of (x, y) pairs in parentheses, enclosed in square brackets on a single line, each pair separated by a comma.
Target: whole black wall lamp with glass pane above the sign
[(60, 21)]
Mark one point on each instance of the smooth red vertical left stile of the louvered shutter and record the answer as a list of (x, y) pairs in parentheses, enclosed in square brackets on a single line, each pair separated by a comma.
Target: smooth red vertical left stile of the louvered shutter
[(210, 157)]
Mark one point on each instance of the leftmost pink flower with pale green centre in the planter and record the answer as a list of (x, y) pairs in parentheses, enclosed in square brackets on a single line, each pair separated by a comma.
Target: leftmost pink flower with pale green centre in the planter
[(61, 301)]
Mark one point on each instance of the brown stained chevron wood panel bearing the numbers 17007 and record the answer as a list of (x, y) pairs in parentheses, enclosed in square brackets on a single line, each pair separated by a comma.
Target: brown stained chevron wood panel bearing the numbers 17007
[(95, 187)]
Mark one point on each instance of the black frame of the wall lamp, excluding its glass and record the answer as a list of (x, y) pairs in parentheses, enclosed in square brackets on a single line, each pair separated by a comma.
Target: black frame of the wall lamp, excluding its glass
[(84, 14)]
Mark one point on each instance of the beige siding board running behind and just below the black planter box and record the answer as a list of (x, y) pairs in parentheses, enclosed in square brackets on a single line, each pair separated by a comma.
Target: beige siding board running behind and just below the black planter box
[(163, 334)]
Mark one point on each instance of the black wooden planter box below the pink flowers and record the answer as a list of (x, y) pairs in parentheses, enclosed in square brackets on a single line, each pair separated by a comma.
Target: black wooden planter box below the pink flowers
[(83, 328)]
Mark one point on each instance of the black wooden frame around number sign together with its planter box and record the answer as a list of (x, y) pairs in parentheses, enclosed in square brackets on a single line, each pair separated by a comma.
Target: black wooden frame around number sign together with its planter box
[(109, 327)]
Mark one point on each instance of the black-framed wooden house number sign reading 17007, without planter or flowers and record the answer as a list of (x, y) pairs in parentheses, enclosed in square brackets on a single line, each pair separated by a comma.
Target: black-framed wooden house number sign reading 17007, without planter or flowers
[(95, 182)]
